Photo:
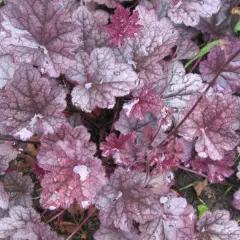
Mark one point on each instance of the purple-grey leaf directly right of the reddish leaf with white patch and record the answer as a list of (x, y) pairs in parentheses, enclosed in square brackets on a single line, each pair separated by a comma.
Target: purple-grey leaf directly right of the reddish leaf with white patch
[(124, 200)]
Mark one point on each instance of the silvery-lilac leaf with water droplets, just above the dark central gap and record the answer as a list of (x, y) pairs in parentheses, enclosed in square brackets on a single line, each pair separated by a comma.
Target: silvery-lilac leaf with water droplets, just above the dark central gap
[(100, 79)]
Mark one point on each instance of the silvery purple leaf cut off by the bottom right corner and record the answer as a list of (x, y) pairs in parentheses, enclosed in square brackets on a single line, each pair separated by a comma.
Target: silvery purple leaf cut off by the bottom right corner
[(217, 225)]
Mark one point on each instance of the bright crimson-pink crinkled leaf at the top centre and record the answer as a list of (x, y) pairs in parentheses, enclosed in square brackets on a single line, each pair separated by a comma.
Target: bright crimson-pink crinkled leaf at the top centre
[(122, 25)]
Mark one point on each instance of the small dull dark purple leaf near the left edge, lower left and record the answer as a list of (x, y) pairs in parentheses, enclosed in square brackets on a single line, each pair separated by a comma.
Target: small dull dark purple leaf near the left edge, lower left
[(19, 189)]
